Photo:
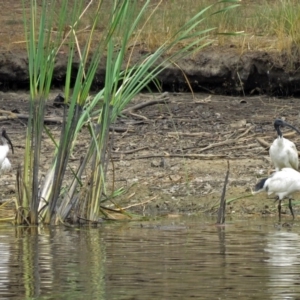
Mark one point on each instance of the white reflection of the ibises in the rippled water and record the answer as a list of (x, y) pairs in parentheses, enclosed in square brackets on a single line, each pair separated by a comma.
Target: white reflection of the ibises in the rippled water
[(283, 264)]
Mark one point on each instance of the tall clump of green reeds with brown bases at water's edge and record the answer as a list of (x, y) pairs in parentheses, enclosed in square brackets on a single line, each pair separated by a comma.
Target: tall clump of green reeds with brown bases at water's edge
[(83, 199)]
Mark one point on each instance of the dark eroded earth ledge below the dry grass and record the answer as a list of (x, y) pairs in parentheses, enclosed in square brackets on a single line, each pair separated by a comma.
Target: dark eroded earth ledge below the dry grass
[(214, 70)]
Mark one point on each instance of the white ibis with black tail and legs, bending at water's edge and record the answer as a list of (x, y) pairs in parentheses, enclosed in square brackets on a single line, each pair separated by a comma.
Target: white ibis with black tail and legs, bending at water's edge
[(282, 183)]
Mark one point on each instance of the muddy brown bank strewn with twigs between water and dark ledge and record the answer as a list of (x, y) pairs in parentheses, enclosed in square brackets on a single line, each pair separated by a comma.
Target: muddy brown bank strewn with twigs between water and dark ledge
[(174, 155)]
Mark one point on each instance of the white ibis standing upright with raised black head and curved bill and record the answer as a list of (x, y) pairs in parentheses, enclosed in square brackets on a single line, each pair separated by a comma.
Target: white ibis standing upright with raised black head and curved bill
[(283, 152)]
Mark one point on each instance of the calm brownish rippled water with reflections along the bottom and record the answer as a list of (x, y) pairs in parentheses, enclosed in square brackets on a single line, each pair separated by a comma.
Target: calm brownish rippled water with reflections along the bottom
[(170, 259)]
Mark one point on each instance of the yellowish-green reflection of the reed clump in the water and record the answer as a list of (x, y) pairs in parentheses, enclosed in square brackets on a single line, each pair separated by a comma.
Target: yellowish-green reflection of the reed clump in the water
[(59, 263)]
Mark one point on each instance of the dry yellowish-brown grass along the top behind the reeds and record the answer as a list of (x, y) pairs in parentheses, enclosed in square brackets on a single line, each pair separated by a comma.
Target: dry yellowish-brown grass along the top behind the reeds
[(268, 25)]
